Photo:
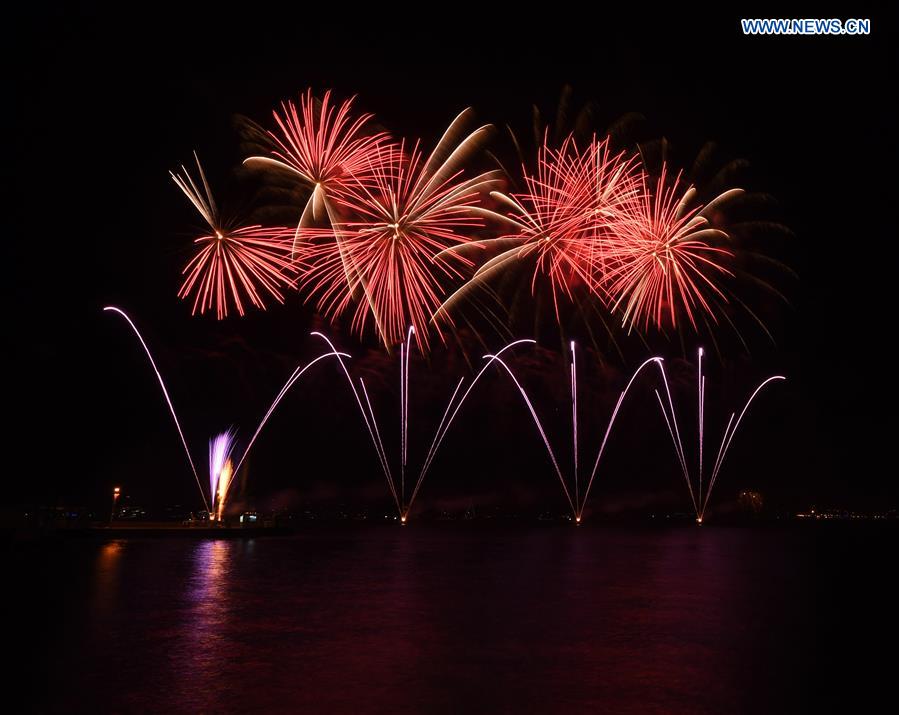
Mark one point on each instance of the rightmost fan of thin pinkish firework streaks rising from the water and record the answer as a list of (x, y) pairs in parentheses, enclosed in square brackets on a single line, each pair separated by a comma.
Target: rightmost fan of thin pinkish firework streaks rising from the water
[(700, 501)]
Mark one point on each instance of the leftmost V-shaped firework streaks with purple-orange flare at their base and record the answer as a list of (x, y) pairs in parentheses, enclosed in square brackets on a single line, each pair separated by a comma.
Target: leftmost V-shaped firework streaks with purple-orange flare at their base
[(221, 446)]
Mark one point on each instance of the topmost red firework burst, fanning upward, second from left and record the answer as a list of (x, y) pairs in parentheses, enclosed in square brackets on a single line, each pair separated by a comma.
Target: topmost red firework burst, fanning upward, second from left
[(325, 146)]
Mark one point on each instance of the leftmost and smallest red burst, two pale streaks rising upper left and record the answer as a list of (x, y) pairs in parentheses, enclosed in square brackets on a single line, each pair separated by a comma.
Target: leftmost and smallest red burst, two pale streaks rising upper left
[(232, 265)]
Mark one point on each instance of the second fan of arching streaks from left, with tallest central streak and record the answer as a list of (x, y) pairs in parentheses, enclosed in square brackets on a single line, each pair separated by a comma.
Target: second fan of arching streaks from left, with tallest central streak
[(397, 484)]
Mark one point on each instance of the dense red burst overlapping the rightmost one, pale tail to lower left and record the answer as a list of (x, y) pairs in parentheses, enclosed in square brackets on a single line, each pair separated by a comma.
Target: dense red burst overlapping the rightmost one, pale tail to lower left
[(563, 219)]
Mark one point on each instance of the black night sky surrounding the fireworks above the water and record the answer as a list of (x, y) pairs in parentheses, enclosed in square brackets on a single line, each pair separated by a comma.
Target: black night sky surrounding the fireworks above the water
[(104, 104)]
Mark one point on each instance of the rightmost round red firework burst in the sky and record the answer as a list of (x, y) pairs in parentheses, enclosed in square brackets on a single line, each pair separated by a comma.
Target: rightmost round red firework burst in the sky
[(664, 258)]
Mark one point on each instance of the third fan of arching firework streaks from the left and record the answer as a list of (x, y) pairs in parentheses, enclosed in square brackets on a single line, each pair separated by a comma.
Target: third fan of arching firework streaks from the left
[(578, 503)]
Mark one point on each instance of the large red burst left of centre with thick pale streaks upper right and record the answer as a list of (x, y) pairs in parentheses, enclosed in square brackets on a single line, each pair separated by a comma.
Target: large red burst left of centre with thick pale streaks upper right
[(391, 245)]
